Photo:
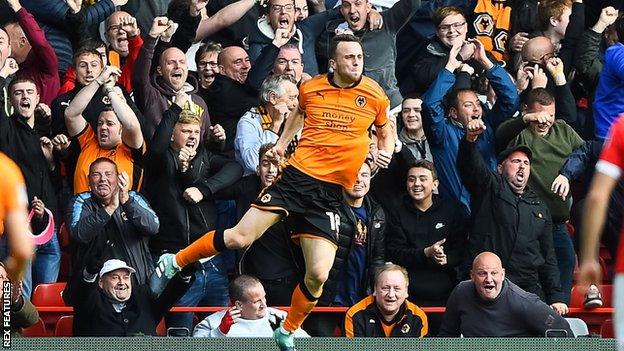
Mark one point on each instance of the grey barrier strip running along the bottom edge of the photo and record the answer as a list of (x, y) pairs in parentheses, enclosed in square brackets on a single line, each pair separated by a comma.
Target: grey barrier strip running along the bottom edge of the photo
[(312, 344)]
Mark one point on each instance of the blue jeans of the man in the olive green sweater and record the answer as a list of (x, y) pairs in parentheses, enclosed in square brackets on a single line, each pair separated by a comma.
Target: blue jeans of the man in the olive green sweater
[(566, 258)]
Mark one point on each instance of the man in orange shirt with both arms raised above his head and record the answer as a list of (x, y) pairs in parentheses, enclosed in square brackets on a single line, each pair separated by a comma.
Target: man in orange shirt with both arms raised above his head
[(118, 135)]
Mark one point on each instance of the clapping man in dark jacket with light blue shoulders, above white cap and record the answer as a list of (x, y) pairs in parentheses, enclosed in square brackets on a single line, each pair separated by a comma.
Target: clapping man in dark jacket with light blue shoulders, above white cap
[(112, 220)]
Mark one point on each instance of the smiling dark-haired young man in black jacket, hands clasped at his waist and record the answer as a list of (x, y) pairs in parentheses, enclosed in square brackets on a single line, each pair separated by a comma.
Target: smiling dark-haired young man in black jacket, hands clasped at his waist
[(426, 235)]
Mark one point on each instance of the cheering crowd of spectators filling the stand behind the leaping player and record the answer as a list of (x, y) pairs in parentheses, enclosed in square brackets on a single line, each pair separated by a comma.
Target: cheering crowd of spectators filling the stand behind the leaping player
[(140, 125)]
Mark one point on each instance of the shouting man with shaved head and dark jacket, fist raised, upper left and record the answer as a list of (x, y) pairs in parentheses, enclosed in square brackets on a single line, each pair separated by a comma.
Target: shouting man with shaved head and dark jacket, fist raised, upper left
[(154, 94)]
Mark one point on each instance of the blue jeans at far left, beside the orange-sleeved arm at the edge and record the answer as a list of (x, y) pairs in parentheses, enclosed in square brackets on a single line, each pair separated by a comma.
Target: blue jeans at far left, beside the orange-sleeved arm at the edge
[(45, 267)]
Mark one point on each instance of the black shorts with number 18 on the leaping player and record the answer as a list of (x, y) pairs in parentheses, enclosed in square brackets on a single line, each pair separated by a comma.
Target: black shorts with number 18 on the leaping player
[(311, 204)]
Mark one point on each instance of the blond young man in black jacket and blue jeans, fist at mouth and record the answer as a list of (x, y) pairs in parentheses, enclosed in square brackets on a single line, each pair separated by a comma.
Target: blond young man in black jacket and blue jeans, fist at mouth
[(181, 178)]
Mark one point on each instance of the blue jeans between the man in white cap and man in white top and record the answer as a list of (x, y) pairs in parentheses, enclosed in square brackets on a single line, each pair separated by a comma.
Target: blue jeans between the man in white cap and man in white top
[(209, 289)]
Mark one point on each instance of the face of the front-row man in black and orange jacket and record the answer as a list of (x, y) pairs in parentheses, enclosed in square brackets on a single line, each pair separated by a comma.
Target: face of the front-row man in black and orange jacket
[(390, 291)]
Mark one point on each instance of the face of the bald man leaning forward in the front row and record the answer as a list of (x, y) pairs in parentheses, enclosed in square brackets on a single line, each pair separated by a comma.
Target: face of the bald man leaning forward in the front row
[(487, 276)]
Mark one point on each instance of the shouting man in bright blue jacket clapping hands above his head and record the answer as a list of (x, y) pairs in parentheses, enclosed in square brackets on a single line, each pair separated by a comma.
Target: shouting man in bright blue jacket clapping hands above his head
[(445, 128)]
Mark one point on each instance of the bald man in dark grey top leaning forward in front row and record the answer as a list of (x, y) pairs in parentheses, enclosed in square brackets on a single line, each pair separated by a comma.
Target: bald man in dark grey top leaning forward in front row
[(488, 305)]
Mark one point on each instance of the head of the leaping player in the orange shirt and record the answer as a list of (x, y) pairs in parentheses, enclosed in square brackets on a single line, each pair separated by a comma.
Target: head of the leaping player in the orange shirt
[(348, 62)]
